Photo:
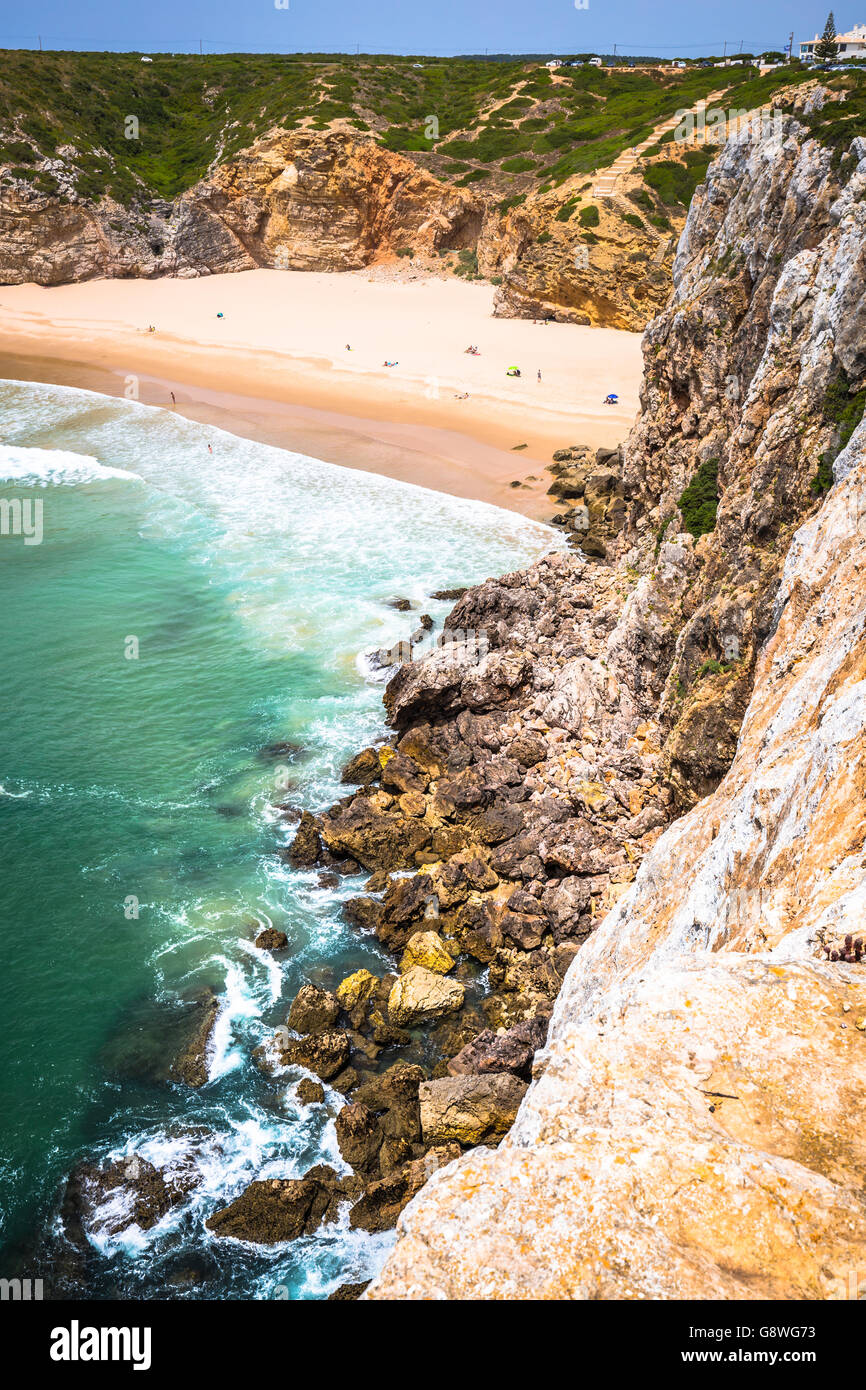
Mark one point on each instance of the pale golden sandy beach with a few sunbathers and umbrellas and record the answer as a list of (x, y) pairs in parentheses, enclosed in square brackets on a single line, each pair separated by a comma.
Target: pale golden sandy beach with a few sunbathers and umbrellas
[(298, 361)]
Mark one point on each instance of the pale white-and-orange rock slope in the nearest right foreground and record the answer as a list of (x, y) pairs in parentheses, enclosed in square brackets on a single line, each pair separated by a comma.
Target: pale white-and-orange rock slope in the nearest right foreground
[(694, 1127)]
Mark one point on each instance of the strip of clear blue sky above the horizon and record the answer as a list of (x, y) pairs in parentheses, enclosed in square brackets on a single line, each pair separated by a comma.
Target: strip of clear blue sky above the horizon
[(436, 27)]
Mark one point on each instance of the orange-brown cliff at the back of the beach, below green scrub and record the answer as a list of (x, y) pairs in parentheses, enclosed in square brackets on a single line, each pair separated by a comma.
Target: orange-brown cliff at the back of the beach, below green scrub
[(305, 201)]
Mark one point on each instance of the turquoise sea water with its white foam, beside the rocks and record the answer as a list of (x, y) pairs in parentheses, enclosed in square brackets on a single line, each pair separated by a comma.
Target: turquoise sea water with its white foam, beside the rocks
[(252, 580)]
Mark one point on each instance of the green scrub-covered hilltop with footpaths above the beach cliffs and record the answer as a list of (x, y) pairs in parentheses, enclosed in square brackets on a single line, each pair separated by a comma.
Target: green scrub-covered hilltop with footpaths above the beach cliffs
[(509, 127)]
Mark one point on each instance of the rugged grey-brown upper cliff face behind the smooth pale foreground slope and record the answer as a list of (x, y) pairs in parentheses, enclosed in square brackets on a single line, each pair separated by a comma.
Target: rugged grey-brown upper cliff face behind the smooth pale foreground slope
[(751, 377)]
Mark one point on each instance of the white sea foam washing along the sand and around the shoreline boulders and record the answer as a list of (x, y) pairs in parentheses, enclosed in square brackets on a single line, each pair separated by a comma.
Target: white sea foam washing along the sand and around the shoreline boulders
[(307, 555)]
